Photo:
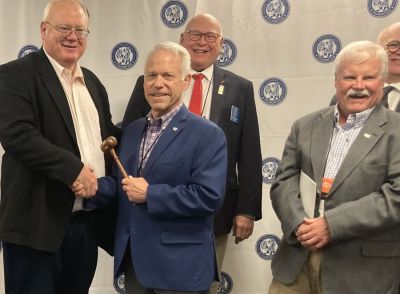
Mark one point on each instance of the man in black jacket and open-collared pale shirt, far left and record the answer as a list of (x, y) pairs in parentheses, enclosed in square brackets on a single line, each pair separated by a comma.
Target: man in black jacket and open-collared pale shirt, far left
[(53, 116)]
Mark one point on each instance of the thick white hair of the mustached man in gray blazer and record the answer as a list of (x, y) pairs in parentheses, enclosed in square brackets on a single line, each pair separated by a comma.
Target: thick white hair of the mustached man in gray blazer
[(361, 51)]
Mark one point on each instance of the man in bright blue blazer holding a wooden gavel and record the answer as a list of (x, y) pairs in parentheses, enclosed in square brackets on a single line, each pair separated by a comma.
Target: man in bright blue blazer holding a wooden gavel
[(177, 166)]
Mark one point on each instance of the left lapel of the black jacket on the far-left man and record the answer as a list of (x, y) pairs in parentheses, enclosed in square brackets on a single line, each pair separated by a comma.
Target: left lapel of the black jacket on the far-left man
[(53, 84)]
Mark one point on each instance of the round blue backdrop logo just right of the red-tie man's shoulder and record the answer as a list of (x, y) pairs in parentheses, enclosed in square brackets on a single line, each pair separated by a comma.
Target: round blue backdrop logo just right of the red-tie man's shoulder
[(273, 91)]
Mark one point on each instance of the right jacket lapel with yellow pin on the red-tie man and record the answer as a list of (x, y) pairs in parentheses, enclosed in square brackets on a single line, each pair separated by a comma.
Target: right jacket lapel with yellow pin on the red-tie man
[(217, 100)]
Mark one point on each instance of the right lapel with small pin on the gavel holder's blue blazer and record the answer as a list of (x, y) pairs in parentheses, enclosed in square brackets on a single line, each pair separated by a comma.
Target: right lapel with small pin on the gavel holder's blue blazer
[(175, 126)]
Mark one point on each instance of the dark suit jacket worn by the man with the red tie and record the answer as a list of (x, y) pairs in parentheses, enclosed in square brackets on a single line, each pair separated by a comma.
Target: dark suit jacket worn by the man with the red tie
[(244, 177)]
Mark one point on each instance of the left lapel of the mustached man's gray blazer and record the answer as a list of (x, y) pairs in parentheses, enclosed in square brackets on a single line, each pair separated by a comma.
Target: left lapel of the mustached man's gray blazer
[(320, 140)]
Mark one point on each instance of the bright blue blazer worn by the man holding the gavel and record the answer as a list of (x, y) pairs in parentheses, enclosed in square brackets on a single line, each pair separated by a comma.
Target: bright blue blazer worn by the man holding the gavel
[(171, 236)]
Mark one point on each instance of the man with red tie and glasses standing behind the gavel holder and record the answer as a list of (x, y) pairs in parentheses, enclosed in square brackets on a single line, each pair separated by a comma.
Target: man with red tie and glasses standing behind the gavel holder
[(228, 100)]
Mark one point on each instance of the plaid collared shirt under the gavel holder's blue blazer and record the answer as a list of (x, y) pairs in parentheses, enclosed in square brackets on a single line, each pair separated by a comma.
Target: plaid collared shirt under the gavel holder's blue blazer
[(154, 130)]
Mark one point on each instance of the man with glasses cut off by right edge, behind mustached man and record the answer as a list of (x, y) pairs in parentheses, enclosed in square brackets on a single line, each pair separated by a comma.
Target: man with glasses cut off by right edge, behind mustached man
[(389, 38)]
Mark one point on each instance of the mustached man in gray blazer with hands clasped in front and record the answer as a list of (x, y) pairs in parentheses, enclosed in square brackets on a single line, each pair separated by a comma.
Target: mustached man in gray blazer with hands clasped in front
[(351, 151)]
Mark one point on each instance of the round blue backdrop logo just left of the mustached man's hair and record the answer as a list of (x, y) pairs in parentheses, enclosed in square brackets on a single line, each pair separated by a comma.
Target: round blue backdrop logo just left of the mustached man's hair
[(326, 48)]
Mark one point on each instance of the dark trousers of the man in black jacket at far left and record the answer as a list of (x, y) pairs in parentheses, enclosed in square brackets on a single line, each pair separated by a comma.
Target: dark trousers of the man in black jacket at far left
[(68, 270)]
